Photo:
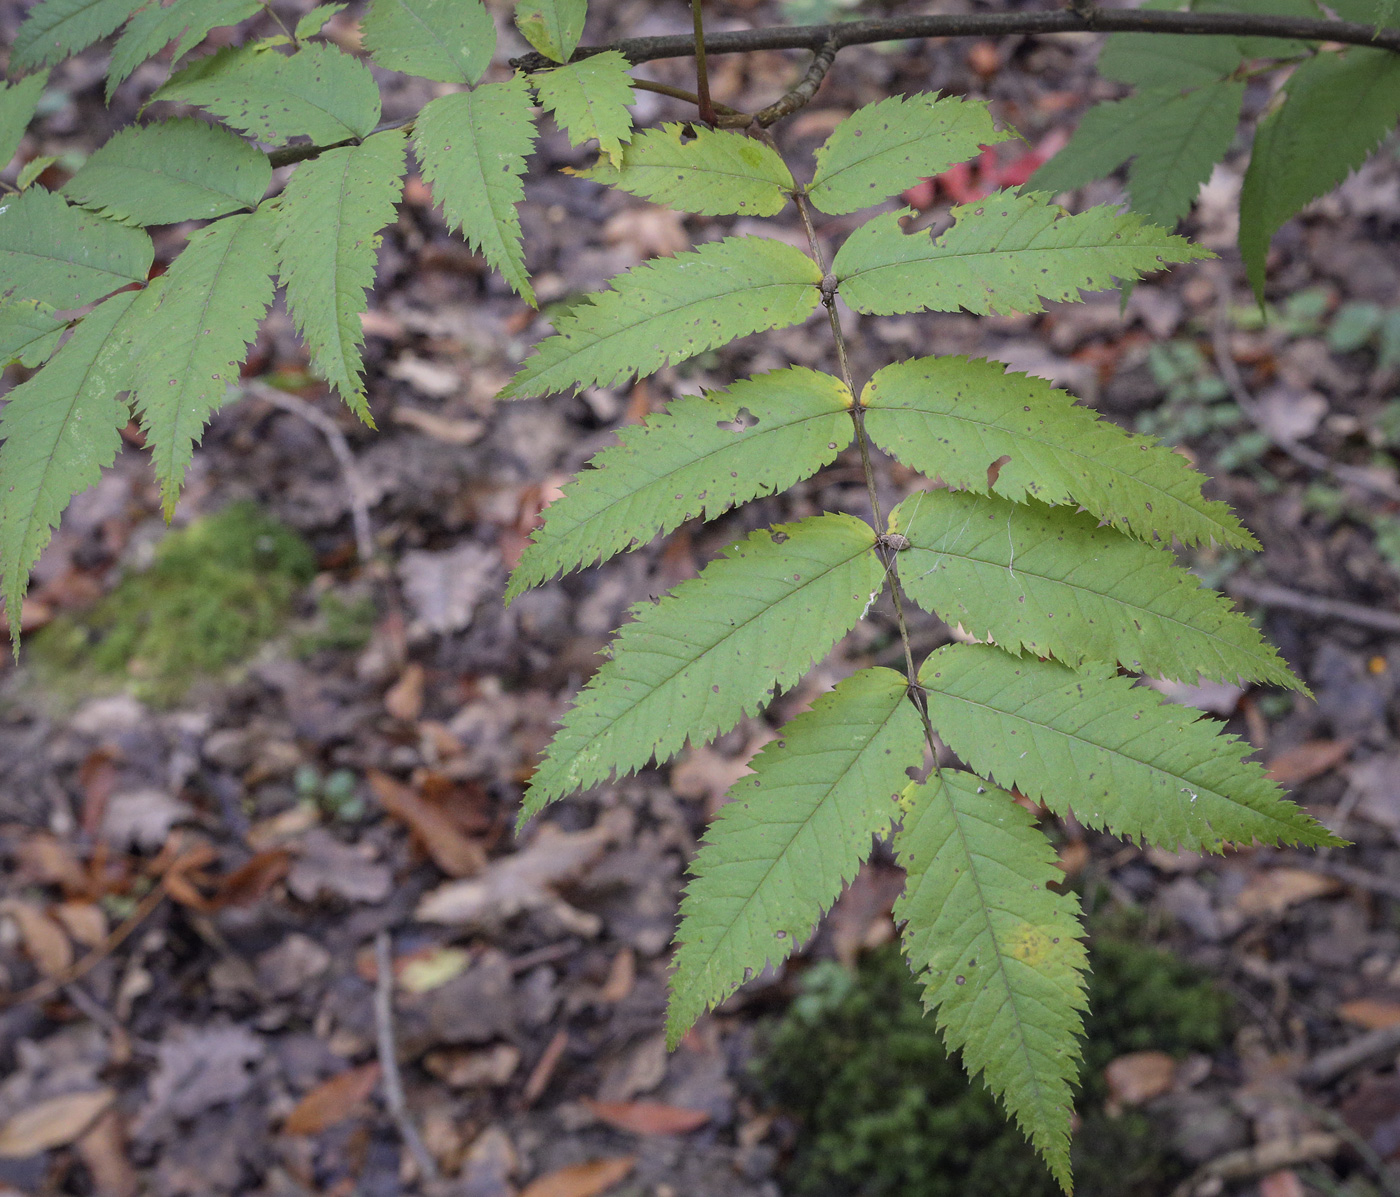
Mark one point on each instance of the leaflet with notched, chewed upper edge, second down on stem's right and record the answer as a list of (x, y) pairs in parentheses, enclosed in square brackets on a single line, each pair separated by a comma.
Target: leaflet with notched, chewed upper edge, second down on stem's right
[(1004, 254)]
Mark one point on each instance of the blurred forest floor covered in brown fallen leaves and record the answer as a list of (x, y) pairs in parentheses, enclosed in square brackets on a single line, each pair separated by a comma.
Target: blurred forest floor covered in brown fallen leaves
[(199, 881)]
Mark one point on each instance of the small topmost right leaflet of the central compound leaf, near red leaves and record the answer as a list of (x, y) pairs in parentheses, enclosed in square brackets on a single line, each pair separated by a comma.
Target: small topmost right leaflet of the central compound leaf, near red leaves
[(887, 148)]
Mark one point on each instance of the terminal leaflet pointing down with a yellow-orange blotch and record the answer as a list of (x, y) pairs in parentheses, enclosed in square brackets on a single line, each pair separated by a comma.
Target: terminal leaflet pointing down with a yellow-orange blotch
[(999, 951)]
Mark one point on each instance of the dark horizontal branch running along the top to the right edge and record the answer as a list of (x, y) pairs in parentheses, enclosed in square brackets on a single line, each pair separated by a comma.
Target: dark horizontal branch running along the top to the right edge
[(988, 26)]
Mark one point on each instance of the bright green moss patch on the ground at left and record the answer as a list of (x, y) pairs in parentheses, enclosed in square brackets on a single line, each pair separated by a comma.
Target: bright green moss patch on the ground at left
[(216, 591)]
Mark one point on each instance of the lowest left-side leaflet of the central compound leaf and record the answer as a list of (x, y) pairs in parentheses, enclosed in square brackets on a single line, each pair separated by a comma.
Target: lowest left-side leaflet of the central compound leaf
[(793, 834)]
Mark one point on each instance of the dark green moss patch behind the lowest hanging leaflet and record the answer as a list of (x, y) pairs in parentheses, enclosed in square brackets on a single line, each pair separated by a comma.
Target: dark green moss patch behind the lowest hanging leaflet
[(885, 1112)]
